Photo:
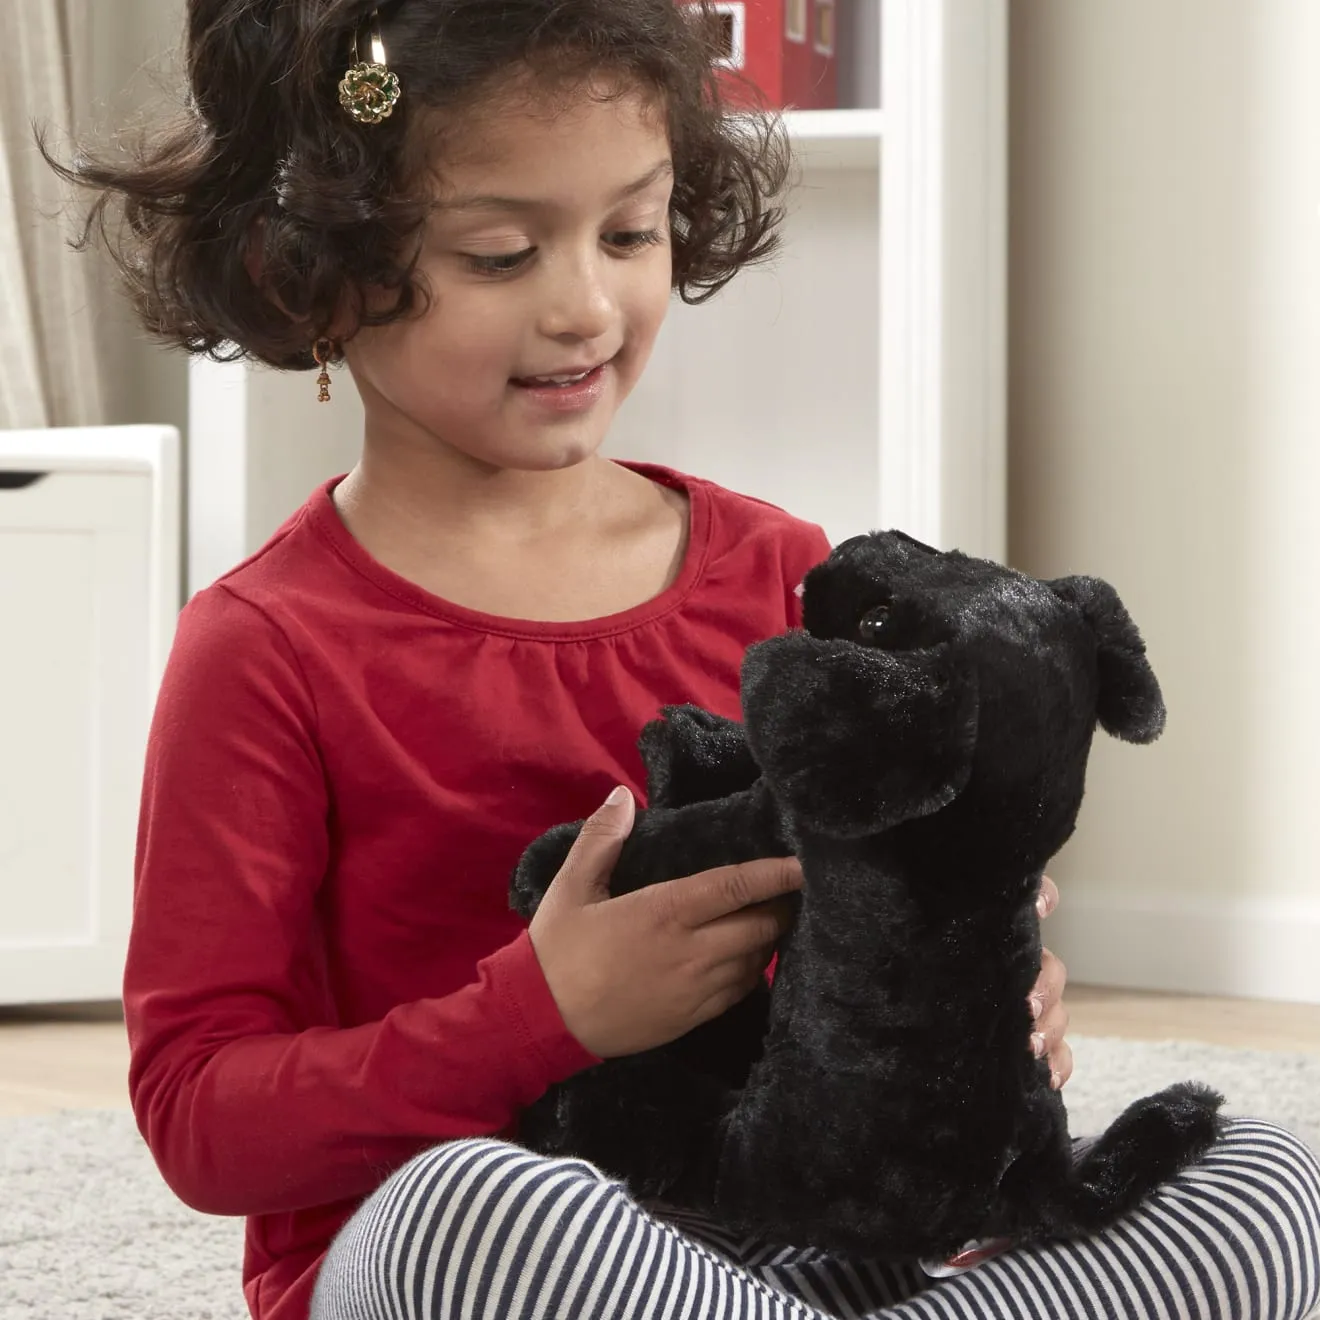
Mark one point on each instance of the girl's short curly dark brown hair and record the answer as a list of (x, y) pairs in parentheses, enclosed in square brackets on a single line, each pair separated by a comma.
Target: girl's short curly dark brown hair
[(265, 155)]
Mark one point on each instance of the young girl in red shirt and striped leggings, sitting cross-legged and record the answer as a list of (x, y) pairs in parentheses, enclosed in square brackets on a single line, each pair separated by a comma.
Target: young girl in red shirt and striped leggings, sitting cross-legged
[(335, 1017)]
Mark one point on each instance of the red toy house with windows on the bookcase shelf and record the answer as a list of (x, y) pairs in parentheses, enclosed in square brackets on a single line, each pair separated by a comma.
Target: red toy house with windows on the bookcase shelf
[(787, 48)]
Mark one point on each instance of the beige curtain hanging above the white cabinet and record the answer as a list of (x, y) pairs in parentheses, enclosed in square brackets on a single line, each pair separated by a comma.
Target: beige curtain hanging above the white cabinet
[(49, 372)]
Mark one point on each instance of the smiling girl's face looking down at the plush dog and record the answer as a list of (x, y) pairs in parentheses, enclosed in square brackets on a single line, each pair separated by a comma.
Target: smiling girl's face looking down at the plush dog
[(550, 273)]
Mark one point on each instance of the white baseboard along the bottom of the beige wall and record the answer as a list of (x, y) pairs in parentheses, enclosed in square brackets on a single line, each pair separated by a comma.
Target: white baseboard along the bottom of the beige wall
[(1237, 948)]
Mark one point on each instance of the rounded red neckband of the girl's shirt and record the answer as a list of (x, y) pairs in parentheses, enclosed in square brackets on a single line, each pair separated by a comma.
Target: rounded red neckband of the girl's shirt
[(325, 519)]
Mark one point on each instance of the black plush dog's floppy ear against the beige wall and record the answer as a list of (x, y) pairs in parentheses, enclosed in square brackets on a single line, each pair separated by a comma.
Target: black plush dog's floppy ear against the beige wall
[(1131, 704)]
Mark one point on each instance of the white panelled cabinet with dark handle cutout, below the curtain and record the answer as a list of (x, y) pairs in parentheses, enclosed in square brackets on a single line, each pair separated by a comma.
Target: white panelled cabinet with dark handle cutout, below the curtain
[(89, 592)]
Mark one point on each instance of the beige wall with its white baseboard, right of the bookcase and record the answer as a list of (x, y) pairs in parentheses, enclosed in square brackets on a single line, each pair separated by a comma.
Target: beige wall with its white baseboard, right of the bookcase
[(1165, 420)]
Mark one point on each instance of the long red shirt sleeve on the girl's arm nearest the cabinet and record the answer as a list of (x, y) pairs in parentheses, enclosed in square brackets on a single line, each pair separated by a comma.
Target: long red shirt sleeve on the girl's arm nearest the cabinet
[(251, 1096)]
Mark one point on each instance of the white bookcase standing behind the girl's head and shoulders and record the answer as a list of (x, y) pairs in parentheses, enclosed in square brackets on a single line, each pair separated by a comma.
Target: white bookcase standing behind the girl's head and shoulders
[(859, 381)]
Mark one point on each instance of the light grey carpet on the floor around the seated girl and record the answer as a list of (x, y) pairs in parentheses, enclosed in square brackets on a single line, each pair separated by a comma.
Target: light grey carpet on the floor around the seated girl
[(89, 1232)]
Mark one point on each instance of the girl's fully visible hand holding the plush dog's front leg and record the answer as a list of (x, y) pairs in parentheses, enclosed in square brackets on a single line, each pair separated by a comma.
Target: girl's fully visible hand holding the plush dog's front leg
[(640, 971)]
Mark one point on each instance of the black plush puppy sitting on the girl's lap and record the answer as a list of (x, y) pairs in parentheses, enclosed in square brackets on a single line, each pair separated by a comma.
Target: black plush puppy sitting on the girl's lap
[(922, 748)]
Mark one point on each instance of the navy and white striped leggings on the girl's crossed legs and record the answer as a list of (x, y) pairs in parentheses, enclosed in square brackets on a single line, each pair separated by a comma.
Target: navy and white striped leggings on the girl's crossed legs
[(485, 1231)]
